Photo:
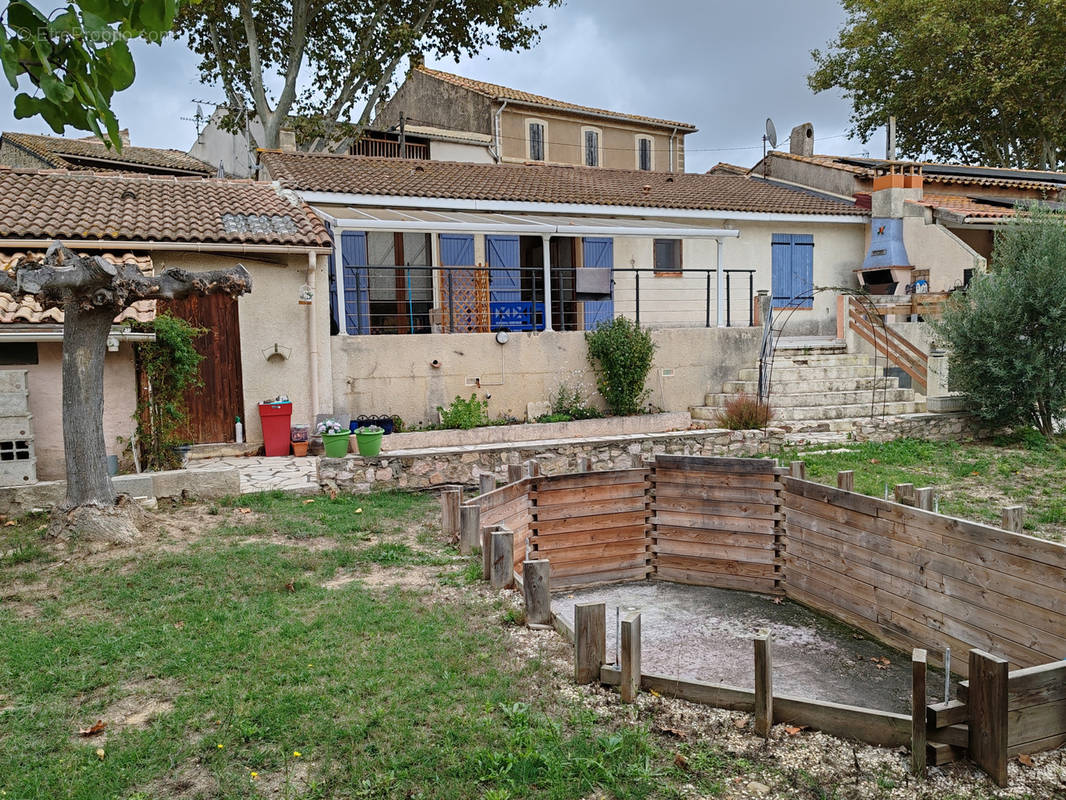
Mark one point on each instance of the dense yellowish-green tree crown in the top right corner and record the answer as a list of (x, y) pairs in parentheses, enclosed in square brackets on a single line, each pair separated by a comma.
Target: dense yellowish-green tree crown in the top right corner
[(981, 82)]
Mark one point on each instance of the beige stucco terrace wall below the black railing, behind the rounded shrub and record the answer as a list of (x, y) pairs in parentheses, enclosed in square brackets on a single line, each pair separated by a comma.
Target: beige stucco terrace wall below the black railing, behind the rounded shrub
[(394, 375)]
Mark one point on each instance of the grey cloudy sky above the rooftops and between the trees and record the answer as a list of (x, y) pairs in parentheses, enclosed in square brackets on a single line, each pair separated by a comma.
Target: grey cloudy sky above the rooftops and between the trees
[(723, 66)]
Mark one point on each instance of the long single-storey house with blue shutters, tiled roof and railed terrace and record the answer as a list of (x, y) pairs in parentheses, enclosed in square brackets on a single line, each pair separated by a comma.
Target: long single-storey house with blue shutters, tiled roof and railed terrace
[(451, 278)]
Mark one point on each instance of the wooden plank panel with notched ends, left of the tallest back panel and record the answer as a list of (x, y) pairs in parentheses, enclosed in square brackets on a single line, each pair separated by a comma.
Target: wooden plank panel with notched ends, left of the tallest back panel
[(592, 527)]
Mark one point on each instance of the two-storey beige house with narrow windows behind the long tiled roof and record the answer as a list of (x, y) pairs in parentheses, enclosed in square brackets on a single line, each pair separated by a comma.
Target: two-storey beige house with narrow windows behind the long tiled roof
[(516, 126)]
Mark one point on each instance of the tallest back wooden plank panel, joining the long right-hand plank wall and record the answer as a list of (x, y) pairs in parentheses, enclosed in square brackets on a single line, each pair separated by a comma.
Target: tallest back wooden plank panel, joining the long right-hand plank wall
[(717, 522)]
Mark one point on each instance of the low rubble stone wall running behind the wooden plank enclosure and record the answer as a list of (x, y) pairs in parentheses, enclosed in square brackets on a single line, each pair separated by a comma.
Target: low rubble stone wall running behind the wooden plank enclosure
[(464, 466)]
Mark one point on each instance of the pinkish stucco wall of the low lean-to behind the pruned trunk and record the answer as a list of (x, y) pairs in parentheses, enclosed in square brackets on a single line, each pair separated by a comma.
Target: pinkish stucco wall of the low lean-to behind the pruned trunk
[(45, 381)]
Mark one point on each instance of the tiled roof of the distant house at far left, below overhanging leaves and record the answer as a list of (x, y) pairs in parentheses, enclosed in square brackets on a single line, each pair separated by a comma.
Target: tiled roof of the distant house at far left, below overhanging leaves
[(73, 154)]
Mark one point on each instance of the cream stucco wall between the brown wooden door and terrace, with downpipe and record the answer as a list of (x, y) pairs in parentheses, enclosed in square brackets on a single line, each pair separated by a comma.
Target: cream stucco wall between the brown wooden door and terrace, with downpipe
[(271, 315)]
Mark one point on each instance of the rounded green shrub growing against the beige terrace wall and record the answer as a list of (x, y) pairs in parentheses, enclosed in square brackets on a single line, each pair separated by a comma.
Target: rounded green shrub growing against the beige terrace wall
[(621, 353)]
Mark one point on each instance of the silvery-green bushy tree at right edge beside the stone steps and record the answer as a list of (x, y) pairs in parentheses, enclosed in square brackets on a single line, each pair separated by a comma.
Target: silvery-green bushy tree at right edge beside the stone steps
[(1007, 332)]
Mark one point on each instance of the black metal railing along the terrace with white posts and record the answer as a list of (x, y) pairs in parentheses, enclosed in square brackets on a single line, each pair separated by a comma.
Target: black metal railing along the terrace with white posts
[(395, 300)]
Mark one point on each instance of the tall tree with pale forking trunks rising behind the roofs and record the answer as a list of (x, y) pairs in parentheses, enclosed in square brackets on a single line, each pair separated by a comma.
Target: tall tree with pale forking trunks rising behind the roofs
[(347, 52)]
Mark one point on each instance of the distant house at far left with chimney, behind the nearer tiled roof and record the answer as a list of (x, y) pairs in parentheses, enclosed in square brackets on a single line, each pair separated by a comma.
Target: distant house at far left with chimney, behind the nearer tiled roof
[(56, 153)]
